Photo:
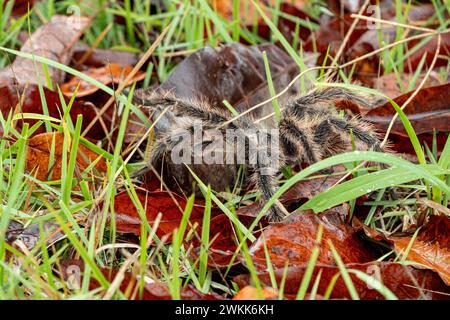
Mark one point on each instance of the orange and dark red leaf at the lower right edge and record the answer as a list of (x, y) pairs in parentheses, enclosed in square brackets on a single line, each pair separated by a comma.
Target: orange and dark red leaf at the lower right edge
[(431, 248)]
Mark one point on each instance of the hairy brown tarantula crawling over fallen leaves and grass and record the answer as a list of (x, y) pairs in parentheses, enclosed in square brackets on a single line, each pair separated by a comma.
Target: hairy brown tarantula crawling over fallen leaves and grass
[(310, 129)]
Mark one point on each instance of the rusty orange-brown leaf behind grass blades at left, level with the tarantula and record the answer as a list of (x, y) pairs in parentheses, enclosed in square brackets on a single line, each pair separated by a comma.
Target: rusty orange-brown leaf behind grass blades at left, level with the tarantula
[(38, 156)]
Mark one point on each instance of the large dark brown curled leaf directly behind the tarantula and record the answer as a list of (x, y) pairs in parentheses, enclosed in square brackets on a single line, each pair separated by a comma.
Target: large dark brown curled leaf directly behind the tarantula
[(235, 73)]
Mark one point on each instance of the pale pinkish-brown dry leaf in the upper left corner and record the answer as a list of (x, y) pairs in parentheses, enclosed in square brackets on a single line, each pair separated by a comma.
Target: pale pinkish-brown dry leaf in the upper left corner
[(54, 40)]
